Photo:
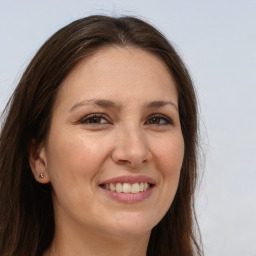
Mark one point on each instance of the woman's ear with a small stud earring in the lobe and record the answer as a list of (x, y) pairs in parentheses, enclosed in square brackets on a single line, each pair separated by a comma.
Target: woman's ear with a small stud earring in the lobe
[(38, 162)]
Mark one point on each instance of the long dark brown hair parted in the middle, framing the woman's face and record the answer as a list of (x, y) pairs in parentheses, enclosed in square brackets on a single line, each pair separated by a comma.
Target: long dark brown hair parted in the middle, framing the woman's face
[(26, 210)]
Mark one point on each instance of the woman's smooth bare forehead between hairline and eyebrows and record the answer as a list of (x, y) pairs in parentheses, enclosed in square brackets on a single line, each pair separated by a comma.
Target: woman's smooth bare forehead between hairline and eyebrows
[(119, 73)]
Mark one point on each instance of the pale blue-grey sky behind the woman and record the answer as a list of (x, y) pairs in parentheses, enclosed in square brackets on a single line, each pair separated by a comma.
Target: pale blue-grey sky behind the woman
[(217, 40)]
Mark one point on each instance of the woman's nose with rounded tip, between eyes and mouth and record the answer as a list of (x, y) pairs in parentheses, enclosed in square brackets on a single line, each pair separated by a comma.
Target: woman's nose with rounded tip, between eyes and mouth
[(131, 148)]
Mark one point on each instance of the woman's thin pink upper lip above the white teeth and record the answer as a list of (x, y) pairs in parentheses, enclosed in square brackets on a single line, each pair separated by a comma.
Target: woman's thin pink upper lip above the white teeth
[(129, 179)]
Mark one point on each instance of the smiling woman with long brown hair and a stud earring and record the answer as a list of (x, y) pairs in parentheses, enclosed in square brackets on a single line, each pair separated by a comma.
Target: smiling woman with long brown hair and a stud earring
[(98, 150)]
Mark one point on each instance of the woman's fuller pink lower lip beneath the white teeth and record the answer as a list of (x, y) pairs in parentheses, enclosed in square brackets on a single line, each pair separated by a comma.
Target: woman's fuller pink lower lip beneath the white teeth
[(129, 198)]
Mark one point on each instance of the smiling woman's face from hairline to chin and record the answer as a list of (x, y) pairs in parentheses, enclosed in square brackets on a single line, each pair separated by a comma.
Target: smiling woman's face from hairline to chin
[(115, 148)]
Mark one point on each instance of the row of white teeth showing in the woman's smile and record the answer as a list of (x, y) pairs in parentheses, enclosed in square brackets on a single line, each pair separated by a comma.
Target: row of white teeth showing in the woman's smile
[(127, 187)]
